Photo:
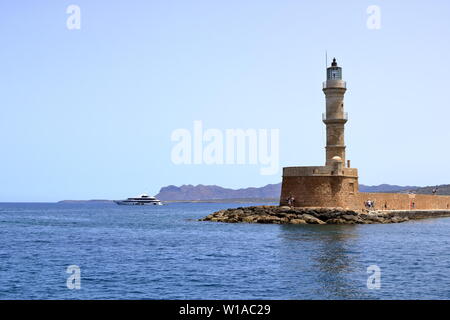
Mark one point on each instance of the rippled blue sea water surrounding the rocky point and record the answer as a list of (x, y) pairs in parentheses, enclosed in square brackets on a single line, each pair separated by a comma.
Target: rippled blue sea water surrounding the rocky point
[(163, 252)]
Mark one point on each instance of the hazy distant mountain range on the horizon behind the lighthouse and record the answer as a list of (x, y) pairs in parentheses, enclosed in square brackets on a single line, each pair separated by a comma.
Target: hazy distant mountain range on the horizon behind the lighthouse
[(204, 192)]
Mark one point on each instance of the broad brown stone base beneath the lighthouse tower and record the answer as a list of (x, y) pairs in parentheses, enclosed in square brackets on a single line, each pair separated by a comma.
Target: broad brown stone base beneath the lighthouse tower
[(328, 186)]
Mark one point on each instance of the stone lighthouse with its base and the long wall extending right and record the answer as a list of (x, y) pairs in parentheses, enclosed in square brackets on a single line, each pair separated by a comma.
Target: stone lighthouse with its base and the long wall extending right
[(335, 184)]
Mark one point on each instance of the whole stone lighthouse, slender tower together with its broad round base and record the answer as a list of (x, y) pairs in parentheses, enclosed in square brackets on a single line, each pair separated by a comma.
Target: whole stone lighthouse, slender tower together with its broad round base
[(335, 184)]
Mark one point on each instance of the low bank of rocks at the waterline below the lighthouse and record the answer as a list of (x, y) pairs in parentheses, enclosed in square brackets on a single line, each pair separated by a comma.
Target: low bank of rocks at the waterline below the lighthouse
[(287, 215)]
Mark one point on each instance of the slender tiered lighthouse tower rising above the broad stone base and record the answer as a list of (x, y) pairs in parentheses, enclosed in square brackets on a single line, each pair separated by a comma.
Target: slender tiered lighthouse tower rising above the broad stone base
[(335, 118)]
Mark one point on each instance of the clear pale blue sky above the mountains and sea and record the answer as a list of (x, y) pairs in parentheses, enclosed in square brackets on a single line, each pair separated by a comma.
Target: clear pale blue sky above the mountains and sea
[(89, 113)]
